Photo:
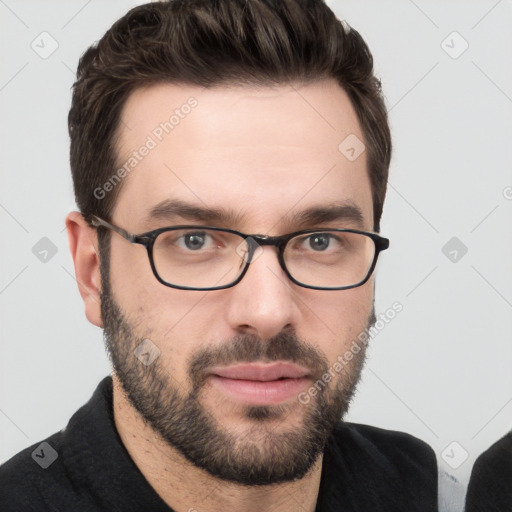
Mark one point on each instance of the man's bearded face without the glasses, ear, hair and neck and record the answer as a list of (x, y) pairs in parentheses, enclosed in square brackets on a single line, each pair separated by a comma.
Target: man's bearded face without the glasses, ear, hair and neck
[(262, 156)]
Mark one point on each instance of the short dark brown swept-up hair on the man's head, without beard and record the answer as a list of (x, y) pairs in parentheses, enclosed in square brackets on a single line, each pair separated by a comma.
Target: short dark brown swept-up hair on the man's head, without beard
[(209, 43)]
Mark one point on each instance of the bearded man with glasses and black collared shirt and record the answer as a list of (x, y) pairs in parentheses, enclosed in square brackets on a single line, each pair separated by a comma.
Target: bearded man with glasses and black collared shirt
[(230, 161)]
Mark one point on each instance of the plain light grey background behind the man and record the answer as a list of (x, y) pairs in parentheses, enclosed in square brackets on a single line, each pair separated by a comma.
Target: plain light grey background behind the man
[(441, 370)]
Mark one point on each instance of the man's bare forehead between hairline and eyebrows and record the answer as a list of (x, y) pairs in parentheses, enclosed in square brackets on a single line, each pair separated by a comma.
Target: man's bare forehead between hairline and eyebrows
[(262, 153)]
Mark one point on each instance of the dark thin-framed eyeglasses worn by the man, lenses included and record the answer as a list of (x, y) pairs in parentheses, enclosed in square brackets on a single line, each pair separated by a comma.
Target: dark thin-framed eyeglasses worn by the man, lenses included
[(191, 257)]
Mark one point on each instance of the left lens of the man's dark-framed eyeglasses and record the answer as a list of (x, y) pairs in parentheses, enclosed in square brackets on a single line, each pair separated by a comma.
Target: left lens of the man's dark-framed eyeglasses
[(199, 258)]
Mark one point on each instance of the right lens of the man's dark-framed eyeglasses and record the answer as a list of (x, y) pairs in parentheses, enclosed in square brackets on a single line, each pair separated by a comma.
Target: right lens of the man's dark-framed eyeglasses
[(330, 259)]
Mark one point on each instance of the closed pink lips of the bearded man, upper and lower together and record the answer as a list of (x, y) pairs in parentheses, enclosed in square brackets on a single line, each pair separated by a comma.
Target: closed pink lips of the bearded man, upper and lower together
[(260, 384)]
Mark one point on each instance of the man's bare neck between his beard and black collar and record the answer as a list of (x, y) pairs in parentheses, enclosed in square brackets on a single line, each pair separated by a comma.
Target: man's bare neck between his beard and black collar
[(186, 488)]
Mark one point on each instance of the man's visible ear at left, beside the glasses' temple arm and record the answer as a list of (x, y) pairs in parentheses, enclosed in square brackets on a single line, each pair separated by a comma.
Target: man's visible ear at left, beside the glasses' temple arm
[(83, 244)]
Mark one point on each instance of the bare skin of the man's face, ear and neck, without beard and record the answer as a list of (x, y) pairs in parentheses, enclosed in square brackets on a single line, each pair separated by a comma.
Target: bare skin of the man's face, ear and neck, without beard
[(265, 153)]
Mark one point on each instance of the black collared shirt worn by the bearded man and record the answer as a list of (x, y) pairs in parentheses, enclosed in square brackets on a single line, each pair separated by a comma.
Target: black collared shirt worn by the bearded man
[(365, 469)]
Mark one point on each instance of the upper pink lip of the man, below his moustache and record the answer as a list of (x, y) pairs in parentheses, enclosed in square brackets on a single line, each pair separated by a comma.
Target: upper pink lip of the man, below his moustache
[(262, 373)]
